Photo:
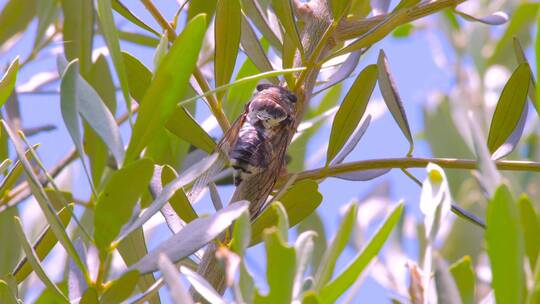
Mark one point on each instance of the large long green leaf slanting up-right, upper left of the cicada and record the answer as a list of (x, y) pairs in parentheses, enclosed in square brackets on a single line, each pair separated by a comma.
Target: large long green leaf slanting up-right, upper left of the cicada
[(167, 87)]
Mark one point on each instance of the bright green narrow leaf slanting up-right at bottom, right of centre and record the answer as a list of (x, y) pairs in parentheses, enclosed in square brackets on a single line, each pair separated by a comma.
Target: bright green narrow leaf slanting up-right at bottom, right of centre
[(331, 291)]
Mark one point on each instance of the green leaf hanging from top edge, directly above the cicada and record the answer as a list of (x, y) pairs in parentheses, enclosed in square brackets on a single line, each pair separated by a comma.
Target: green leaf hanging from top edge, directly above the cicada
[(227, 38)]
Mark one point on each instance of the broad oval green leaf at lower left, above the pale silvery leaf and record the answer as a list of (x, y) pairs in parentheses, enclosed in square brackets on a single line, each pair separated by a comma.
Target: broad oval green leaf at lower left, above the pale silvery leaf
[(115, 203)]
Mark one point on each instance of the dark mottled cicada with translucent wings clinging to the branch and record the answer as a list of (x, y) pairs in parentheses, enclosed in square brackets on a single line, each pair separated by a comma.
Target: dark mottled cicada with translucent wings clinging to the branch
[(257, 139)]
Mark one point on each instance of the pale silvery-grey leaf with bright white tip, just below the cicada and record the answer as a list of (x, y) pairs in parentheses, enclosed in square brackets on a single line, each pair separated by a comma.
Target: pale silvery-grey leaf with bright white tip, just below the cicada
[(194, 236)]
